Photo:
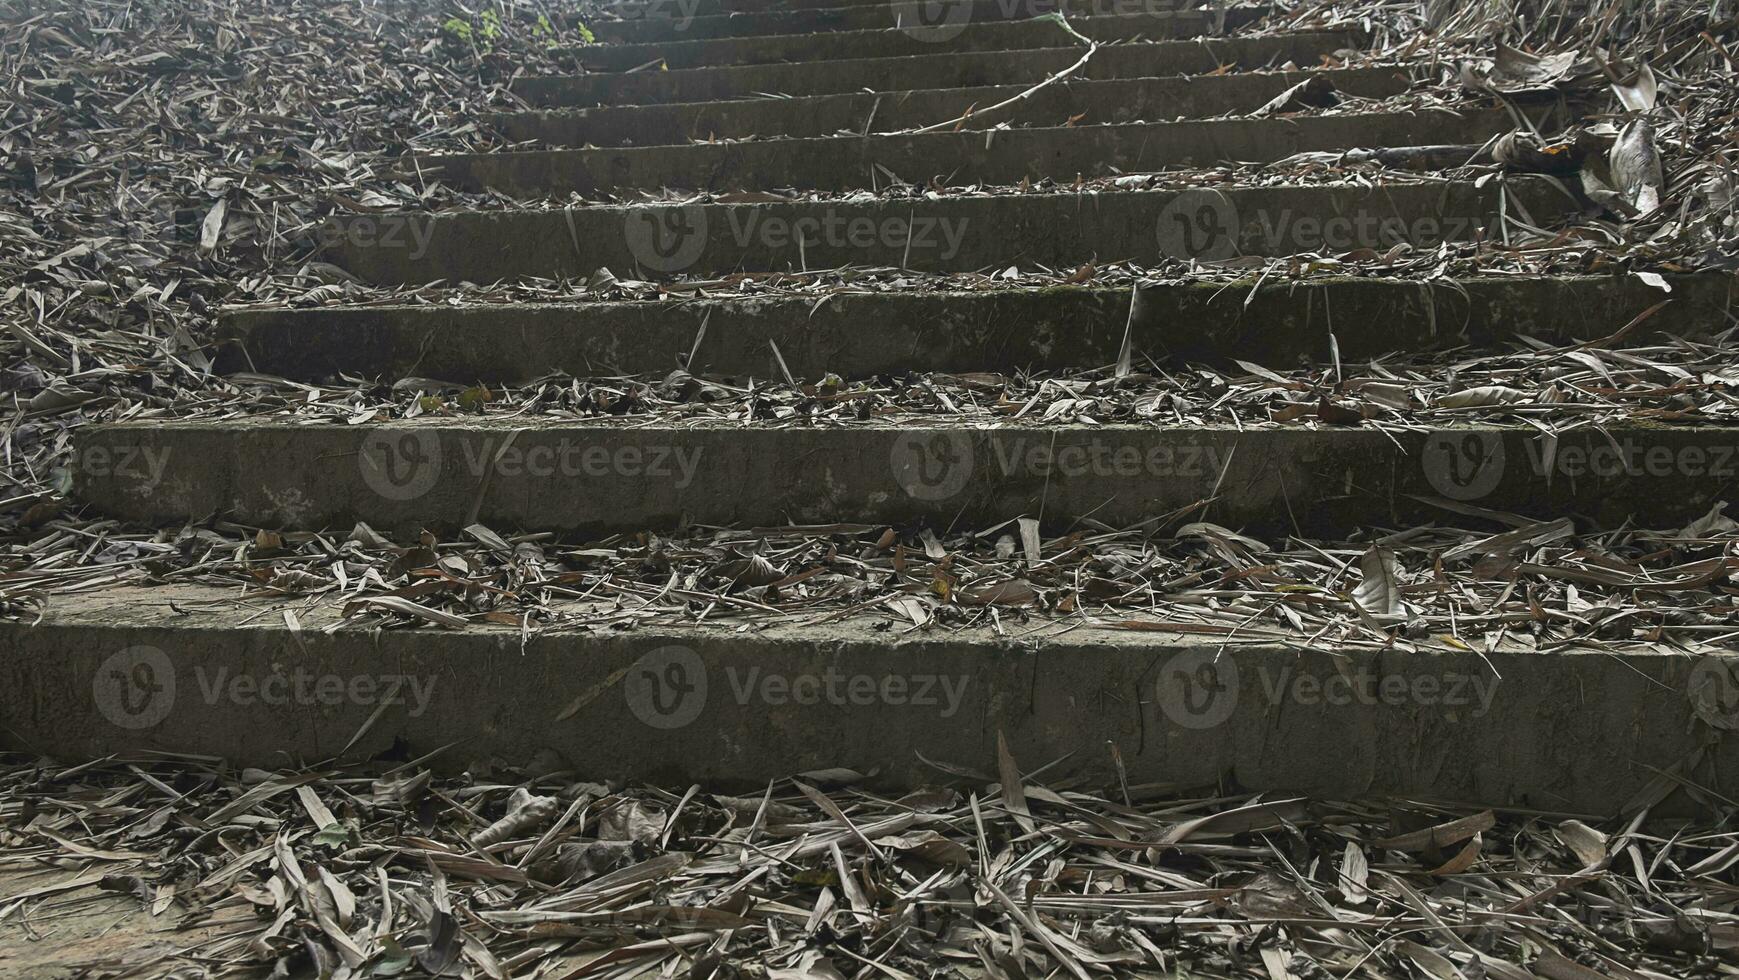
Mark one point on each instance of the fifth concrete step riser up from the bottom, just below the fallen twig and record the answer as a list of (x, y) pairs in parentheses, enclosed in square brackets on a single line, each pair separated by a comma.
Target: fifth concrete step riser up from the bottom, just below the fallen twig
[(996, 157)]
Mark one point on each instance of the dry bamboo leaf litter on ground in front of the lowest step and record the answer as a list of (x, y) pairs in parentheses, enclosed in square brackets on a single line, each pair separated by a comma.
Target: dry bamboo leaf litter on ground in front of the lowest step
[(500, 873)]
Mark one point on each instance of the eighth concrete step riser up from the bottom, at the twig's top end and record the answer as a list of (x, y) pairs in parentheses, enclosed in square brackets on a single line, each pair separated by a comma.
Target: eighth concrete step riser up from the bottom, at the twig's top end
[(903, 43)]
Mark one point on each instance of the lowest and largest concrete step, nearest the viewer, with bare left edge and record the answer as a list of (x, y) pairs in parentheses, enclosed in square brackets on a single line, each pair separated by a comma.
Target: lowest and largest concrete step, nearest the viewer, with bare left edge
[(187, 668)]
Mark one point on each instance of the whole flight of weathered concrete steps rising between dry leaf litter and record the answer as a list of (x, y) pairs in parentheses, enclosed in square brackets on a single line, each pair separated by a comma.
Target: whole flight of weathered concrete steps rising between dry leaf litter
[(199, 670)]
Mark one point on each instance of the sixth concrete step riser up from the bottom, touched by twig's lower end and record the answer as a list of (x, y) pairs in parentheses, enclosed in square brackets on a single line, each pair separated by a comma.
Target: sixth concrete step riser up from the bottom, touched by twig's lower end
[(1091, 103)]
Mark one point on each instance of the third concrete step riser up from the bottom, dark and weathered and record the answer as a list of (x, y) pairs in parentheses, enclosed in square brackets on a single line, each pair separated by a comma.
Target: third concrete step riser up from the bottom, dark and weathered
[(1003, 331)]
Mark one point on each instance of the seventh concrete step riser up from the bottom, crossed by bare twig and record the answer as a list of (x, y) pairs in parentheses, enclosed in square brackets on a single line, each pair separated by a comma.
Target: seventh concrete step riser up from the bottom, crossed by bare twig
[(940, 70)]
